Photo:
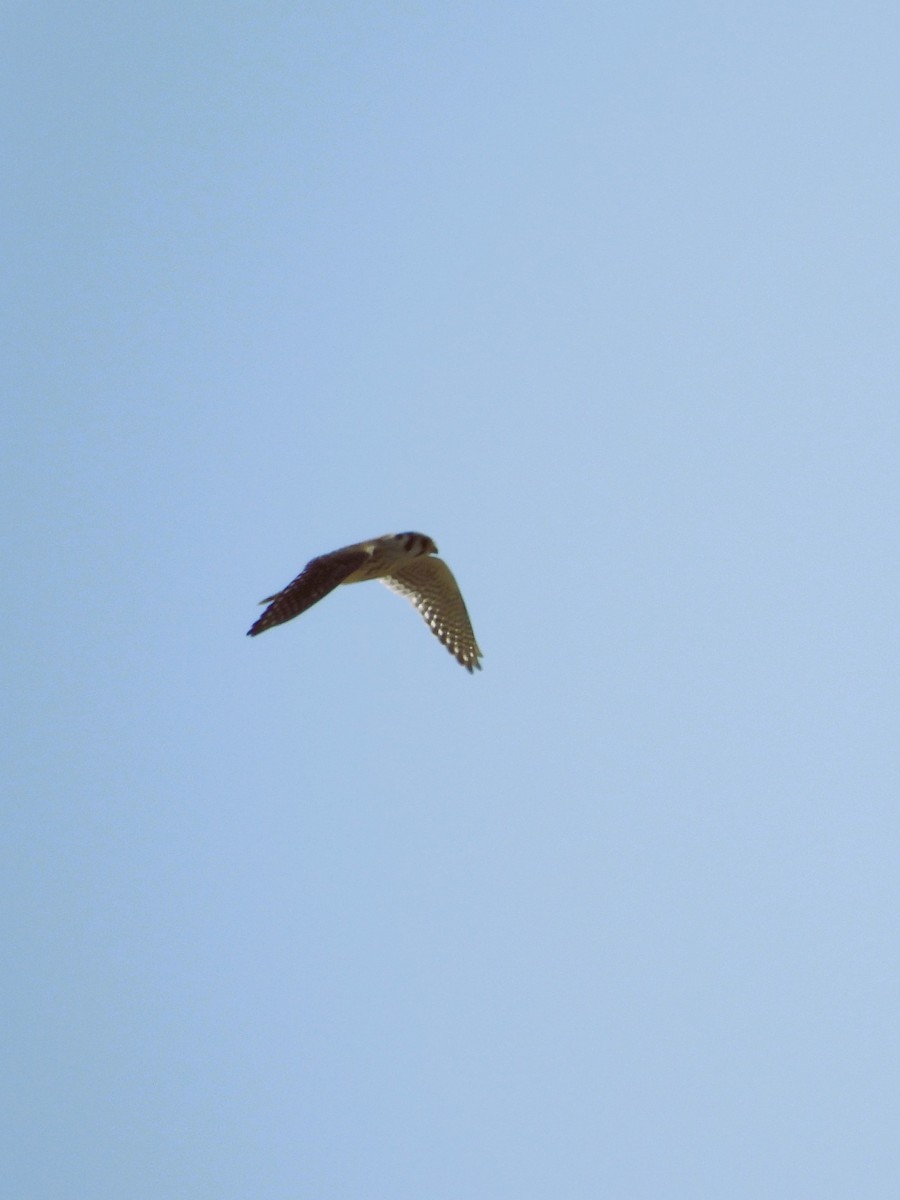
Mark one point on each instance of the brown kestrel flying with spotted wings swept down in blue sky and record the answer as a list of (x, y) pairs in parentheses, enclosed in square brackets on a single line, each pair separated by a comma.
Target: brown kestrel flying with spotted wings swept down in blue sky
[(404, 562)]
